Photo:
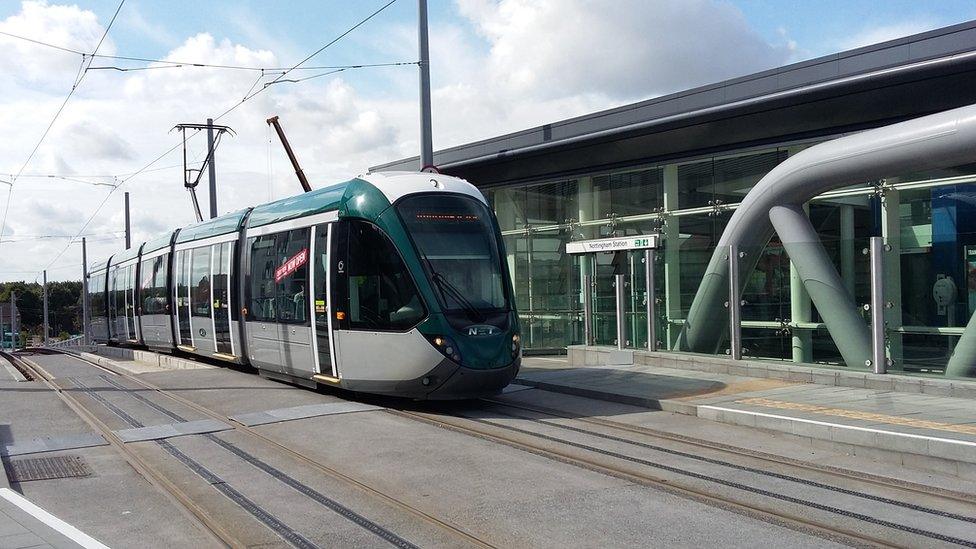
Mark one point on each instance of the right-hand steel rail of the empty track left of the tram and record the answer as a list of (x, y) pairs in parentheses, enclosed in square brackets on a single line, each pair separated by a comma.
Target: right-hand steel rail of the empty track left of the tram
[(390, 500)]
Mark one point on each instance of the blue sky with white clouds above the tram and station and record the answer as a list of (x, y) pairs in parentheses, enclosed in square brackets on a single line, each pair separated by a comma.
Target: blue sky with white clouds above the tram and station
[(497, 66)]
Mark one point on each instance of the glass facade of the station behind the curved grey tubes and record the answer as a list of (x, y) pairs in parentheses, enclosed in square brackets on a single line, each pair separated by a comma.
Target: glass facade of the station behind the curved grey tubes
[(928, 220)]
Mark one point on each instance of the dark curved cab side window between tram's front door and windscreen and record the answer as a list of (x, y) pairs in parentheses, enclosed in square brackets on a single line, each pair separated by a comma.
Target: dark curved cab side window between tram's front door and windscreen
[(382, 295)]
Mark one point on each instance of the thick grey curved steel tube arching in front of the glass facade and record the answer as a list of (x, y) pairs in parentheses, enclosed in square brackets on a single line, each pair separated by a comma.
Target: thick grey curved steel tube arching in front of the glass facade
[(936, 141)]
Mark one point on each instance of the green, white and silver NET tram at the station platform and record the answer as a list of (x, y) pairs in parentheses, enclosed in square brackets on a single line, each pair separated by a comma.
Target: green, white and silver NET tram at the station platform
[(391, 283)]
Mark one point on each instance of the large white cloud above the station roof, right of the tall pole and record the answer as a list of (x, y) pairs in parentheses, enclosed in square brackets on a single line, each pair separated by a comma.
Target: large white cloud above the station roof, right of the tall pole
[(625, 48)]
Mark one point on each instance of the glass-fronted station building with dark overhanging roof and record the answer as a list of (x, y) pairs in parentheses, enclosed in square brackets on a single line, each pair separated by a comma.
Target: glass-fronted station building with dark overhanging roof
[(678, 165)]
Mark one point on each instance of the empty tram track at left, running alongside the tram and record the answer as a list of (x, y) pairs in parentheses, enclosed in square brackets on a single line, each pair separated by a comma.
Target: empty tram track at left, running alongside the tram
[(289, 535)]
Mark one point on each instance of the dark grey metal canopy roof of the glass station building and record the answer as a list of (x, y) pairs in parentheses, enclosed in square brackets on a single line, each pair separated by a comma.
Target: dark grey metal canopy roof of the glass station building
[(848, 91)]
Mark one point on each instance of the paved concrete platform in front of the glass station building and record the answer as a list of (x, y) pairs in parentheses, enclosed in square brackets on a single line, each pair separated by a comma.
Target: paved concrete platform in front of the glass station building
[(920, 430)]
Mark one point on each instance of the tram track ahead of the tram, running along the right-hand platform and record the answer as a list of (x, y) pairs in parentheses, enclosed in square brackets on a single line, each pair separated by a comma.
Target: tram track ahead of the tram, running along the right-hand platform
[(626, 466)]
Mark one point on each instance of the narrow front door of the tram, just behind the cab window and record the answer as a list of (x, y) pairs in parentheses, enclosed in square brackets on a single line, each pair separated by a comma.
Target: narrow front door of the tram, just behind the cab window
[(322, 302)]
